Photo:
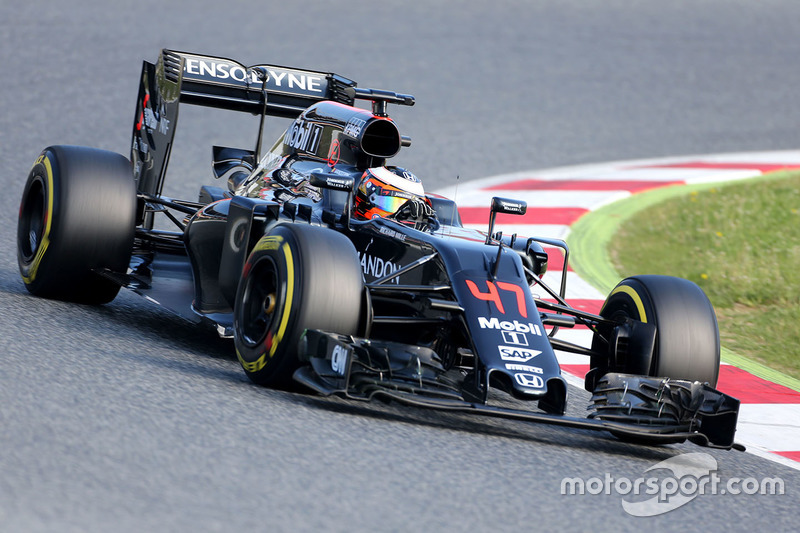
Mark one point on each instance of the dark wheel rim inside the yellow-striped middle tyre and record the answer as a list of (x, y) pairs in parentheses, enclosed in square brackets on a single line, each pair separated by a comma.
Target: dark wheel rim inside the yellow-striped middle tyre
[(259, 302)]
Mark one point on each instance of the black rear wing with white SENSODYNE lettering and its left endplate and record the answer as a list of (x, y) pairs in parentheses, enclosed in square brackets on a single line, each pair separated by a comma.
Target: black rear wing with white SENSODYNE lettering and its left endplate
[(180, 77)]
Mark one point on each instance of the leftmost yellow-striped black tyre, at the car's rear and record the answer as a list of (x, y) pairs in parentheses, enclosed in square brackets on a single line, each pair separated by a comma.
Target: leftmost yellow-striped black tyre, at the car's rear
[(77, 217)]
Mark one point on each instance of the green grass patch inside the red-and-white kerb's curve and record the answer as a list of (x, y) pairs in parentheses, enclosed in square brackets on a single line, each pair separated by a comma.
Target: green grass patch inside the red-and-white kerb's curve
[(739, 242)]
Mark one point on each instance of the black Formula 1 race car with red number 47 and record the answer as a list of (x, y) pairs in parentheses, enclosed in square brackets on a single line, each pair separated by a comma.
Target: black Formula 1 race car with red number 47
[(315, 289)]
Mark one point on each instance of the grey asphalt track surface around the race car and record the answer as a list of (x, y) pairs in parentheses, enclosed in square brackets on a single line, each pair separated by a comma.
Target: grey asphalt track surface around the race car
[(124, 418)]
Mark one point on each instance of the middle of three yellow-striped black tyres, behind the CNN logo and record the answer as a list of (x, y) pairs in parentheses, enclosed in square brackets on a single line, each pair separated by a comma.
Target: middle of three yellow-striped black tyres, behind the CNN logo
[(297, 277)]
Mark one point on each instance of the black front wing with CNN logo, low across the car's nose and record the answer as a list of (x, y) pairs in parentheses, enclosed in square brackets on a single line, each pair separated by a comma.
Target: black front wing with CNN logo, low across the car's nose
[(638, 408)]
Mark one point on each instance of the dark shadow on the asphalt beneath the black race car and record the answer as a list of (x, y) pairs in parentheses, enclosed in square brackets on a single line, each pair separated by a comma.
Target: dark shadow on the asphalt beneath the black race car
[(212, 357)]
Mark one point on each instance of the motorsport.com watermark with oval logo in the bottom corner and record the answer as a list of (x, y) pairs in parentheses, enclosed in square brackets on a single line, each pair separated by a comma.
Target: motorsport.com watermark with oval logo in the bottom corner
[(693, 474)]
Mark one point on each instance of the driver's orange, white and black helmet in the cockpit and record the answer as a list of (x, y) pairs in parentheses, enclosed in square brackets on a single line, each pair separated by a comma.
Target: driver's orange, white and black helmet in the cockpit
[(383, 190)]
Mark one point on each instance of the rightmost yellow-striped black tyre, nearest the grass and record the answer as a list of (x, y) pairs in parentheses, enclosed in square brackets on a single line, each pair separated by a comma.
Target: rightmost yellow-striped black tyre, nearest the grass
[(687, 336)]
